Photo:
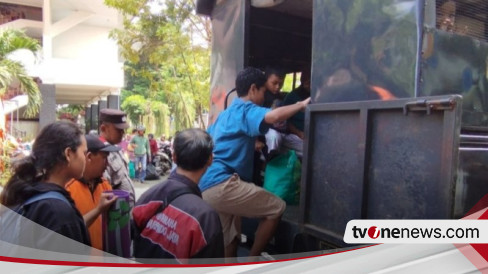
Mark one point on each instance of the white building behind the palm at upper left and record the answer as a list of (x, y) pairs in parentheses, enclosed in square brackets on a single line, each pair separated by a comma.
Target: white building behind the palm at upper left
[(79, 63)]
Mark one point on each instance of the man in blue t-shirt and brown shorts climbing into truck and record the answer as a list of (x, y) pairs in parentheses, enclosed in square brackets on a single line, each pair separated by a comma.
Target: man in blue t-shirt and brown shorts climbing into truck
[(225, 184)]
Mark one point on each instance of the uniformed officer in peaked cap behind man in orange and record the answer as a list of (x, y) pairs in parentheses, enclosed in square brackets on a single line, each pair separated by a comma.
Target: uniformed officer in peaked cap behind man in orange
[(113, 122)]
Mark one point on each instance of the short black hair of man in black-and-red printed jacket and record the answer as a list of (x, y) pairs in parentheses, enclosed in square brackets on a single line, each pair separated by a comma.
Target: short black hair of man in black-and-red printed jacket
[(192, 148)]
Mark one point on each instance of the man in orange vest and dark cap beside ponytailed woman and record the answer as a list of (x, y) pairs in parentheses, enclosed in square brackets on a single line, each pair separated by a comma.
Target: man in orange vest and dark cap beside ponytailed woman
[(87, 192)]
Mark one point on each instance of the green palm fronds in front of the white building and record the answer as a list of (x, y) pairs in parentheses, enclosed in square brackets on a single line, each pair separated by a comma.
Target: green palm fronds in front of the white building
[(10, 70)]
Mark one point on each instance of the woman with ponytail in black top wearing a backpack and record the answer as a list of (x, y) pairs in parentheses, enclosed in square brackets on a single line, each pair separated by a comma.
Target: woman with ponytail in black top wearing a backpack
[(58, 155)]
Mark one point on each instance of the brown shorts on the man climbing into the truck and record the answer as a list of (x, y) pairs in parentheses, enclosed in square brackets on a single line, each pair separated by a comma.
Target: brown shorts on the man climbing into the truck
[(234, 198)]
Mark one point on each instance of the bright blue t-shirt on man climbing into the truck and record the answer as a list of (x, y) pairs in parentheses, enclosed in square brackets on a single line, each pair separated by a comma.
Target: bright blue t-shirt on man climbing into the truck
[(234, 135)]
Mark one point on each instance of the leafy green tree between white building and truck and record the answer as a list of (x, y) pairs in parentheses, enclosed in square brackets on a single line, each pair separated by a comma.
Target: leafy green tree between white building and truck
[(164, 64)]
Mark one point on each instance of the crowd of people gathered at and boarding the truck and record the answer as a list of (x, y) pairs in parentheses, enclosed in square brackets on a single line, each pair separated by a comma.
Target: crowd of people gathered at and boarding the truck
[(196, 212)]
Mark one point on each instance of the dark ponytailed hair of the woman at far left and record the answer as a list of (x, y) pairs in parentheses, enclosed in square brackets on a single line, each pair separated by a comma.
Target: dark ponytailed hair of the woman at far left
[(47, 153)]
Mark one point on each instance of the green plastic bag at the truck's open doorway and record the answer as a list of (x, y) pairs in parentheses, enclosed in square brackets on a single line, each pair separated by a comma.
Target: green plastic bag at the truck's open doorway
[(282, 177)]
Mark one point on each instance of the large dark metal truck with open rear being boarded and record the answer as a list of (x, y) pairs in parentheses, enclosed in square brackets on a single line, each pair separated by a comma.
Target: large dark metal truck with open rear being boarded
[(398, 124)]
